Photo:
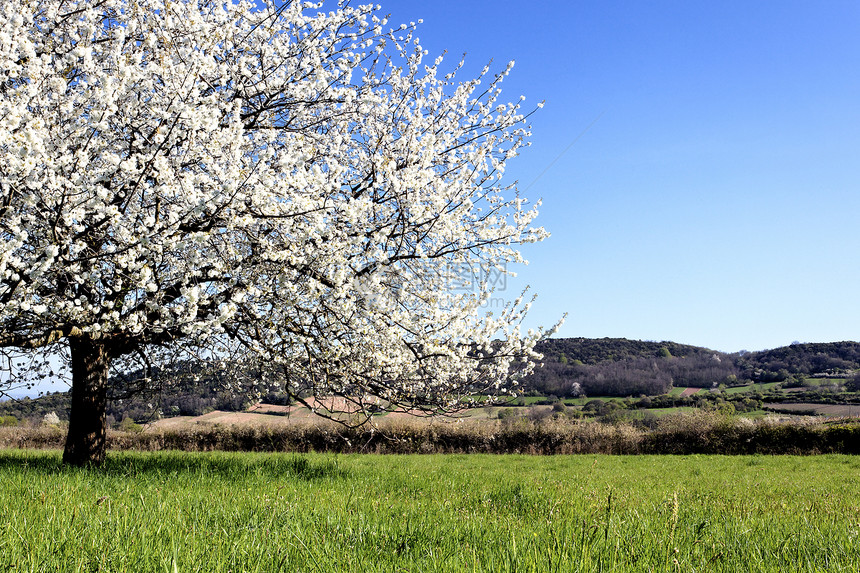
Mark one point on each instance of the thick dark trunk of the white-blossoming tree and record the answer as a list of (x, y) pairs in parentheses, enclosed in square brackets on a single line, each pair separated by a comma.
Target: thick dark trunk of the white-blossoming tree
[(85, 444)]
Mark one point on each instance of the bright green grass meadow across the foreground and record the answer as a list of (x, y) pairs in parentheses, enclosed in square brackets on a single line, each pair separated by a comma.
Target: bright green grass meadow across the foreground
[(271, 512)]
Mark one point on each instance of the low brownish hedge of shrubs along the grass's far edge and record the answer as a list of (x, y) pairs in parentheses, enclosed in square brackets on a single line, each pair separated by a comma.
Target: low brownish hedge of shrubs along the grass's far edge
[(696, 433)]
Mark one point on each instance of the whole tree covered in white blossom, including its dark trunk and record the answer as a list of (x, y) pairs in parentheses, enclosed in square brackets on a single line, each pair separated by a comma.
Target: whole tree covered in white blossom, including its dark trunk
[(298, 184)]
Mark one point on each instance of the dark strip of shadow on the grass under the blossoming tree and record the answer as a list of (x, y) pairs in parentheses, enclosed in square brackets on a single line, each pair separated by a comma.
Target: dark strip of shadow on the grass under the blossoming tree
[(225, 465)]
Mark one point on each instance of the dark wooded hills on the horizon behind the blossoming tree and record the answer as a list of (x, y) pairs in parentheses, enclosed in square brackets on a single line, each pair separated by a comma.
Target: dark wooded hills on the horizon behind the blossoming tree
[(571, 367)]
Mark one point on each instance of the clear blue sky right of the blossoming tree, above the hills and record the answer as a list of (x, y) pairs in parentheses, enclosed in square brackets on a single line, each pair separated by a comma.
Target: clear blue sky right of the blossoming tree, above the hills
[(714, 199)]
